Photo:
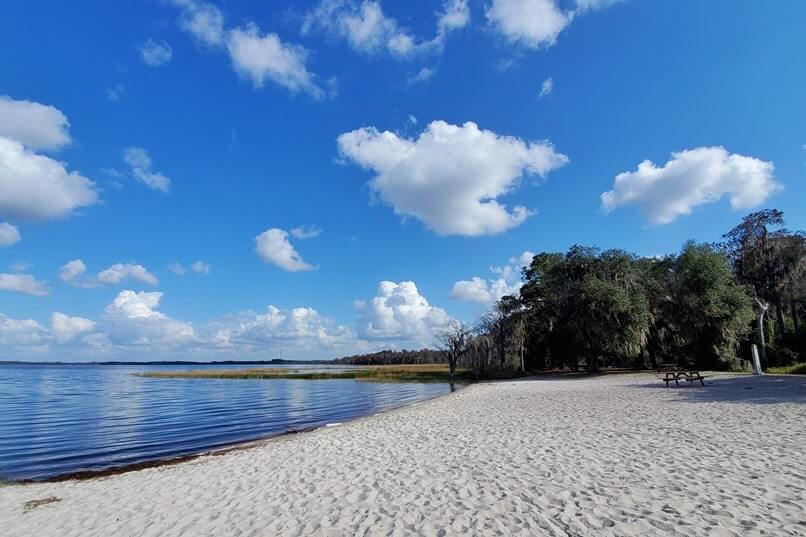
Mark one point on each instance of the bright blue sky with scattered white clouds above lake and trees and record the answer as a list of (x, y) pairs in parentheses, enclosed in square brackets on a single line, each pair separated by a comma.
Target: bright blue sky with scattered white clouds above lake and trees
[(188, 179)]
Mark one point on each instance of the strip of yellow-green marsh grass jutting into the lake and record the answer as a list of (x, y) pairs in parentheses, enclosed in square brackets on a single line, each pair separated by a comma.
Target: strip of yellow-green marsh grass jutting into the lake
[(380, 373)]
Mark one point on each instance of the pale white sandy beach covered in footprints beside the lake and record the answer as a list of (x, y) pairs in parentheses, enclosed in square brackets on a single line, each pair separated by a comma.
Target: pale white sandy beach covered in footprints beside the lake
[(614, 456)]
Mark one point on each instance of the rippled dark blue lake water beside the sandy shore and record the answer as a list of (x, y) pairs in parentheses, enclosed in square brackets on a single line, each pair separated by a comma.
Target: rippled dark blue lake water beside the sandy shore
[(62, 419)]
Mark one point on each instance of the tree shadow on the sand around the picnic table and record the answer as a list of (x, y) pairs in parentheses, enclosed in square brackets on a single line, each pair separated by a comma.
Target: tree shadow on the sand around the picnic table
[(769, 389)]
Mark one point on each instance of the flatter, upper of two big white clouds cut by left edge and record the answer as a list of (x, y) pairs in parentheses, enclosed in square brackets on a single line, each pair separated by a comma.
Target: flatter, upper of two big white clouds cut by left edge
[(35, 125)]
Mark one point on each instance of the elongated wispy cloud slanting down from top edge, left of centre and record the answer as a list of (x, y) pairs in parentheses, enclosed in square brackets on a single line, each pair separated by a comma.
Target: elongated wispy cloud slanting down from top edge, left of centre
[(255, 55)]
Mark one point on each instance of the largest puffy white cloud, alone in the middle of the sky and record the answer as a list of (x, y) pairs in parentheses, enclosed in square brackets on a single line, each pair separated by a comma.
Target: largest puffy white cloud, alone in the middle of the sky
[(450, 176)]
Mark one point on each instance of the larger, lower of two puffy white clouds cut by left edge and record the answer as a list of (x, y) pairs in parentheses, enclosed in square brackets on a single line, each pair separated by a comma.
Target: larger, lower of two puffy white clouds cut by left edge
[(36, 187)]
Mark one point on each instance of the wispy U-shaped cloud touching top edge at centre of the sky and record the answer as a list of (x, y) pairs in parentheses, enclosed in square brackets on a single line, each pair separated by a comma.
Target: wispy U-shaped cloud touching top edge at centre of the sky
[(368, 30)]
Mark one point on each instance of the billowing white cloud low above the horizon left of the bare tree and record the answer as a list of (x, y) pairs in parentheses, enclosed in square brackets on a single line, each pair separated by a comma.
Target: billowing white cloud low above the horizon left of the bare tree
[(399, 312)]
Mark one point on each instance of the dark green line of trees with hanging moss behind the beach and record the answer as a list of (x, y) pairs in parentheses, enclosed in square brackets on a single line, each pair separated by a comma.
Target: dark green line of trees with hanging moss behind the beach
[(588, 308)]
